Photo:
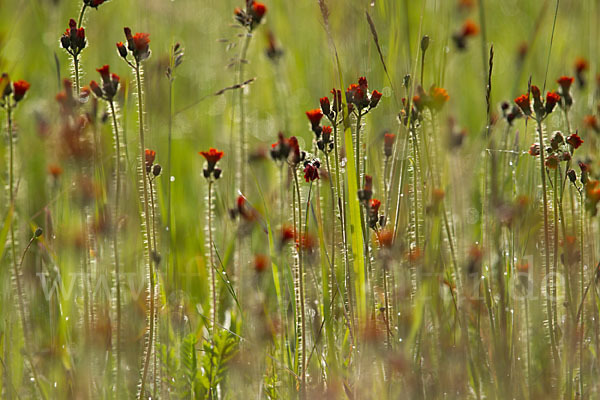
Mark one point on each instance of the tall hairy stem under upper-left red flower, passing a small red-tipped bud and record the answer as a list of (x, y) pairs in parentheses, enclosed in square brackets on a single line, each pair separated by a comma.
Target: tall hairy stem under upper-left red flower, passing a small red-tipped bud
[(148, 225)]
